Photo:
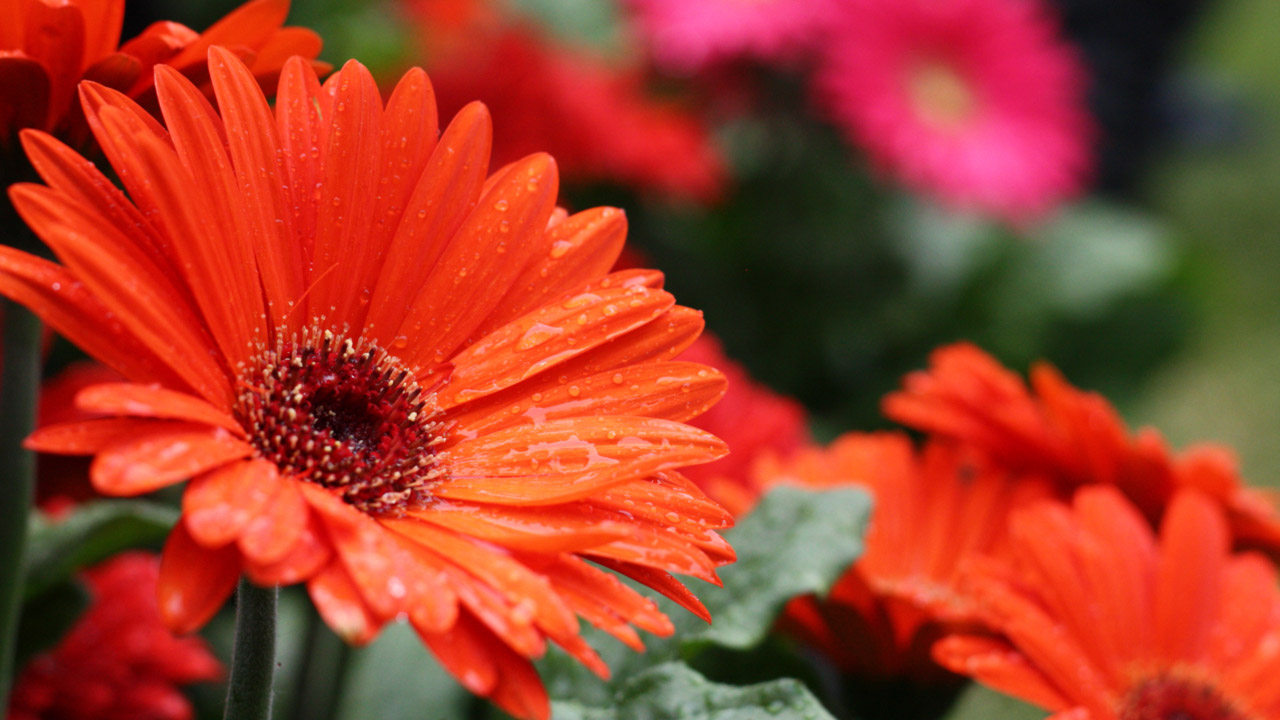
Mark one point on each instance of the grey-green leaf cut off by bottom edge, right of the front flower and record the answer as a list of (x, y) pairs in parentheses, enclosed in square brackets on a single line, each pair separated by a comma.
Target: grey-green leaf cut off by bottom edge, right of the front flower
[(675, 692)]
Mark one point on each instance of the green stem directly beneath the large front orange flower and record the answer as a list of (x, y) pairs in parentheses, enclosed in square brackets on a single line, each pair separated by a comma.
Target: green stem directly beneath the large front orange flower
[(249, 694)]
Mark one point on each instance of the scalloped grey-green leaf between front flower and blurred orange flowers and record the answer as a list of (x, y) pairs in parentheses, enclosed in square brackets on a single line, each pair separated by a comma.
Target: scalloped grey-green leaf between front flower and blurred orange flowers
[(796, 543)]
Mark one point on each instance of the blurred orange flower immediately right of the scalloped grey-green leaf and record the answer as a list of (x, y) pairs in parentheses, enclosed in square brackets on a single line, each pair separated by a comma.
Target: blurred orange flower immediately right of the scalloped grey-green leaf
[(935, 512)]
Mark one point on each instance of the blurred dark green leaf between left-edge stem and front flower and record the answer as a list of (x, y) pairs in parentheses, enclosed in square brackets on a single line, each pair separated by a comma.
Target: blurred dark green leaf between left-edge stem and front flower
[(94, 532)]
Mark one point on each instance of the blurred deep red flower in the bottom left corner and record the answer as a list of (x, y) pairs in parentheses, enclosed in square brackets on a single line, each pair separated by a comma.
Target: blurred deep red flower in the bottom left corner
[(118, 662)]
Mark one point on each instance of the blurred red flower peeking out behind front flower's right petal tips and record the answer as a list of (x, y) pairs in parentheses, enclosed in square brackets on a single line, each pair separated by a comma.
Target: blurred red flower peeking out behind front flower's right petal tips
[(755, 421)]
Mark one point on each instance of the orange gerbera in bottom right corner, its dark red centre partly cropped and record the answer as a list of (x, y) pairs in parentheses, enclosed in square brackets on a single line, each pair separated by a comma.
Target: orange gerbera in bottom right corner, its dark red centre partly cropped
[(1104, 622)]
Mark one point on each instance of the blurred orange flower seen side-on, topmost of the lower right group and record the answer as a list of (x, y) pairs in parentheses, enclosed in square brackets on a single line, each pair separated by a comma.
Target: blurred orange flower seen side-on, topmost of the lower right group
[(1072, 438)]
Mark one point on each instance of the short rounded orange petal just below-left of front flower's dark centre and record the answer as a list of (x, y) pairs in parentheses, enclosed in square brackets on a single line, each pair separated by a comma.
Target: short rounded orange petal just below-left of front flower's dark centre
[(218, 505)]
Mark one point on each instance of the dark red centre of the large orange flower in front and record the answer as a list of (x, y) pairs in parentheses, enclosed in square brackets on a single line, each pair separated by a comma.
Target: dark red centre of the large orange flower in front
[(345, 416)]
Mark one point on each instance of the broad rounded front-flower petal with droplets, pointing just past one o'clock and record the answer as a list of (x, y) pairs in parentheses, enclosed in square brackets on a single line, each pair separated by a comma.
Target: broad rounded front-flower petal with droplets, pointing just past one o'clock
[(460, 293)]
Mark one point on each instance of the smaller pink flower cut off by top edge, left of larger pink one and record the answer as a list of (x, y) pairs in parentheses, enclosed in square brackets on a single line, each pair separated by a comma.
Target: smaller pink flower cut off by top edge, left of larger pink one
[(685, 37)]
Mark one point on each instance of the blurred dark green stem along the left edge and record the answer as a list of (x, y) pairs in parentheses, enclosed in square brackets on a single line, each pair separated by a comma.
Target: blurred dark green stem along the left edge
[(20, 388)]
